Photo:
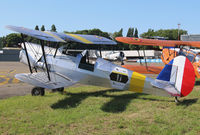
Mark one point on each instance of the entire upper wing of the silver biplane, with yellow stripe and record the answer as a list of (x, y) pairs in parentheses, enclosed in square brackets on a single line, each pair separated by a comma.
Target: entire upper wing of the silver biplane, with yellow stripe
[(63, 37)]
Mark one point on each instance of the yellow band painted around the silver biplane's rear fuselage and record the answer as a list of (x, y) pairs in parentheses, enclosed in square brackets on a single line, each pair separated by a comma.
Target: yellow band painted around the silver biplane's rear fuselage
[(137, 82)]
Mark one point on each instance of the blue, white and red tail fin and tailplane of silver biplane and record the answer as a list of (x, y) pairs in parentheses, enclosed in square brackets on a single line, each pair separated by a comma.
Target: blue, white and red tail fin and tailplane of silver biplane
[(177, 77)]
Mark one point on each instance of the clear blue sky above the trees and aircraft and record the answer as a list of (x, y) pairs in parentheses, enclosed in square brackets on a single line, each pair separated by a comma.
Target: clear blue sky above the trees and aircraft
[(107, 15)]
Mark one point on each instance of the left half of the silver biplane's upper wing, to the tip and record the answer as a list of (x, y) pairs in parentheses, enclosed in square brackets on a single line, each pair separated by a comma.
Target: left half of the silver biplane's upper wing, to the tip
[(36, 33)]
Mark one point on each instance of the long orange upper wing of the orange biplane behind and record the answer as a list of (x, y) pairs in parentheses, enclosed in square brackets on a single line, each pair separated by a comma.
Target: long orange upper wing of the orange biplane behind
[(154, 42)]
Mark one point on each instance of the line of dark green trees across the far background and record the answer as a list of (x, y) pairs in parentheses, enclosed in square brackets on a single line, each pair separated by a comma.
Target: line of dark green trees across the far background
[(13, 39)]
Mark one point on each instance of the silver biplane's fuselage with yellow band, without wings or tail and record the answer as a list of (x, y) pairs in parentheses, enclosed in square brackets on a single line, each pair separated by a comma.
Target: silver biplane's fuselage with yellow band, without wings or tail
[(99, 73)]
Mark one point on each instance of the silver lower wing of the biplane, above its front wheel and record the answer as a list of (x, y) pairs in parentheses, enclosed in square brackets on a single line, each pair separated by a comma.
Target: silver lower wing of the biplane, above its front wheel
[(40, 79)]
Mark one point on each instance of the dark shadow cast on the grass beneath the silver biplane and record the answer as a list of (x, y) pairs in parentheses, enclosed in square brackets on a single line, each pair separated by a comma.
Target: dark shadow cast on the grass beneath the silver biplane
[(117, 104)]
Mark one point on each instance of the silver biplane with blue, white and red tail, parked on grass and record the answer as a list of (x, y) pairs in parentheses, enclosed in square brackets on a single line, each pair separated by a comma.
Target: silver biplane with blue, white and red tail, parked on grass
[(54, 69)]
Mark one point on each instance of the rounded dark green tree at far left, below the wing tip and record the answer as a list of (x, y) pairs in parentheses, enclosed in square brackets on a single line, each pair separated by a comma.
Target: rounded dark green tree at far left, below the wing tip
[(12, 40)]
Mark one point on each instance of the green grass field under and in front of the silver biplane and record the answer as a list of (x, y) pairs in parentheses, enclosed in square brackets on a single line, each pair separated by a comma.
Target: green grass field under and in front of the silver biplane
[(95, 110)]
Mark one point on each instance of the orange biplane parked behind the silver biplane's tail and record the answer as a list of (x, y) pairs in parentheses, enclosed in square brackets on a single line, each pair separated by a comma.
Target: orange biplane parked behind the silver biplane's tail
[(168, 53)]
